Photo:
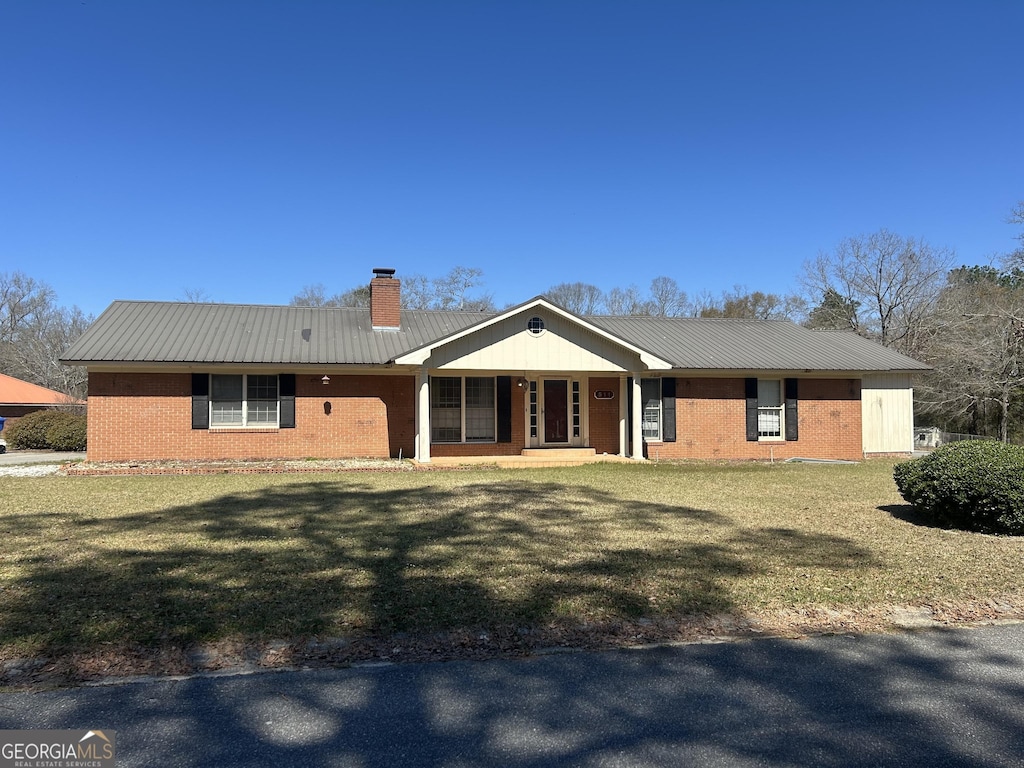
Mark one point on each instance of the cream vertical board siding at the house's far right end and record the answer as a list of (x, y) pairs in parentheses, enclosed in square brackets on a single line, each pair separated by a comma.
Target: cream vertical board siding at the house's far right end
[(887, 413)]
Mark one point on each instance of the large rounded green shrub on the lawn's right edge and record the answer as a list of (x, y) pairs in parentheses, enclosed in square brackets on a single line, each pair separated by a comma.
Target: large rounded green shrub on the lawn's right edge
[(973, 486)]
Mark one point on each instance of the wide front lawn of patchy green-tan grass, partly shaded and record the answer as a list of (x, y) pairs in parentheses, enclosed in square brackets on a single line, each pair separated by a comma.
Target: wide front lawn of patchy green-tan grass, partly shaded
[(87, 562)]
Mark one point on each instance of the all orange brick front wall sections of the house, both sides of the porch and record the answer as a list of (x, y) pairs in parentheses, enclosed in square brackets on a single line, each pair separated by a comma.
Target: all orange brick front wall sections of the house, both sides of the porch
[(149, 416)]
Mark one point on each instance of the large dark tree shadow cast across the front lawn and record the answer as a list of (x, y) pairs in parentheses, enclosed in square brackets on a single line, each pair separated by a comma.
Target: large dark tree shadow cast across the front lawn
[(333, 559)]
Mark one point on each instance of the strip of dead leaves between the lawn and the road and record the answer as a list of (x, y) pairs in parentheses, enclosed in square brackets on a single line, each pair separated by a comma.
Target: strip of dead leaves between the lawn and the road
[(110, 664)]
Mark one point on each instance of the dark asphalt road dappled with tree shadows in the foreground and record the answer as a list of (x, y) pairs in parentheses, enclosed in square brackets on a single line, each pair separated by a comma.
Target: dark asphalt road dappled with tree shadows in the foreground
[(942, 698)]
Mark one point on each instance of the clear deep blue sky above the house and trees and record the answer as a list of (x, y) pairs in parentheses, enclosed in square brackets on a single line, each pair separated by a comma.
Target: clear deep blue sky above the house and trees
[(248, 149)]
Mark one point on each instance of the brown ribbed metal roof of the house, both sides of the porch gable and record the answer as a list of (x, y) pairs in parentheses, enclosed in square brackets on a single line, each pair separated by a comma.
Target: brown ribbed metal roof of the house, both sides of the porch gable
[(193, 333)]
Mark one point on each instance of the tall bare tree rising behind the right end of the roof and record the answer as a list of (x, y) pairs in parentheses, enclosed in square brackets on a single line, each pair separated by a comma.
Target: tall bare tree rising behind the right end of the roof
[(893, 280)]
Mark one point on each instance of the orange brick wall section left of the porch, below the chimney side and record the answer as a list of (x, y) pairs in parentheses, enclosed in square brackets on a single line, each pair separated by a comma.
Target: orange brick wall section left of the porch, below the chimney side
[(149, 416)]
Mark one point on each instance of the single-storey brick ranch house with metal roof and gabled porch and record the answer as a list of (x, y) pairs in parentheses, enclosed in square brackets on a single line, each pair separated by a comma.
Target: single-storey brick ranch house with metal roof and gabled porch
[(197, 381)]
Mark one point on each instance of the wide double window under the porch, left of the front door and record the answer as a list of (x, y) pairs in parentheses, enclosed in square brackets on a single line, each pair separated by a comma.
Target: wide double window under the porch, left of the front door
[(462, 409)]
